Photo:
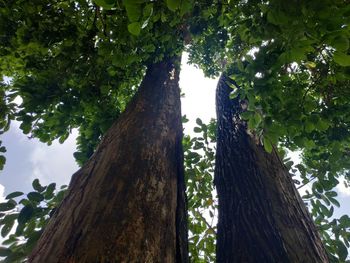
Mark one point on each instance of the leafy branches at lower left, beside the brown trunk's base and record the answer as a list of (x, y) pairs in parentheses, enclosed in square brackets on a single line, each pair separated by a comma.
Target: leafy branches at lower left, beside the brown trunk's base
[(23, 222)]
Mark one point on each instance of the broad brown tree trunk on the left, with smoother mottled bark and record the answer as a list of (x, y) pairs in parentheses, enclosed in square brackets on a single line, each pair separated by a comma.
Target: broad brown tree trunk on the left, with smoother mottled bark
[(127, 204)]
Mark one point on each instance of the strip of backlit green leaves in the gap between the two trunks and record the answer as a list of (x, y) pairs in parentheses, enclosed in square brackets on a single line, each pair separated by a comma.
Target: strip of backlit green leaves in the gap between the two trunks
[(202, 201)]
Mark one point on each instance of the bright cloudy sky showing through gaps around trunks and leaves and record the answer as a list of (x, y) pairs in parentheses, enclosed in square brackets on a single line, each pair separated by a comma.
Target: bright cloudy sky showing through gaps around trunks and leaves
[(28, 159)]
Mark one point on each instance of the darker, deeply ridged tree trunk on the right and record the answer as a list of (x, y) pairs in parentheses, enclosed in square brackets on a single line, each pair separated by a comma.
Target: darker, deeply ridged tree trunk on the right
[(261, 215)]
